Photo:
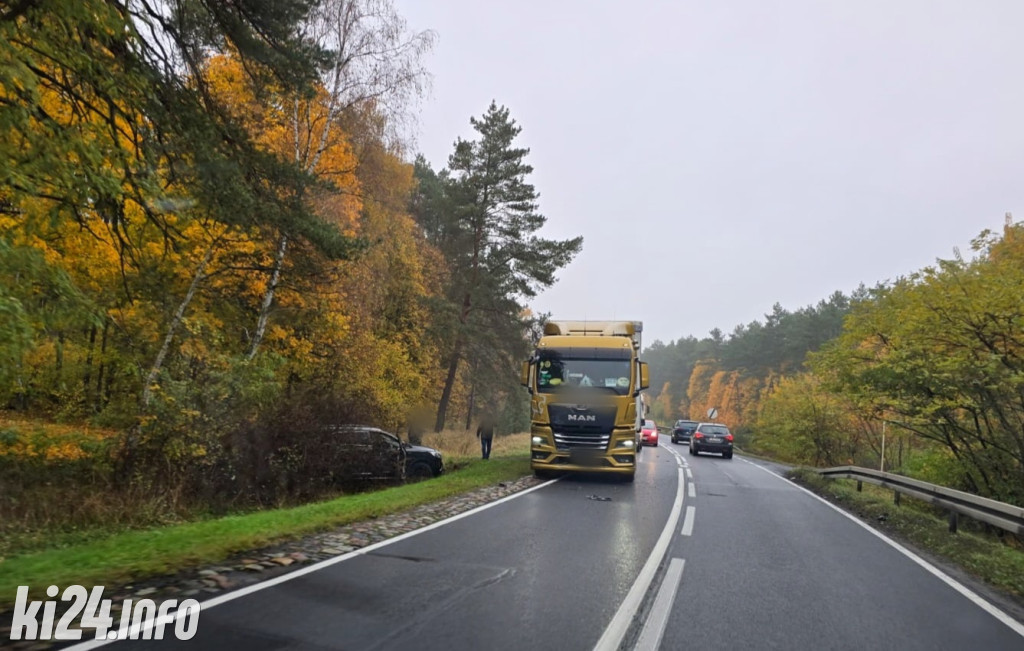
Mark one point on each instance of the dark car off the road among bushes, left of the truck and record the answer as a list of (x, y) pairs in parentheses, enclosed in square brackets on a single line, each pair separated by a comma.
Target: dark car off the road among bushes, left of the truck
[(374, 454)]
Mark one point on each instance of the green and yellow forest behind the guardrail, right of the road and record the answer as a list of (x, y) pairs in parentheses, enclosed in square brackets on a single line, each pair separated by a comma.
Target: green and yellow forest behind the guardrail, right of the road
[(928, 368)]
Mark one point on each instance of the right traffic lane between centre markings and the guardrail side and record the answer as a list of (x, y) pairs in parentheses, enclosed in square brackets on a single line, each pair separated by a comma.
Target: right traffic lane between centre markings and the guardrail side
[(767, 566)]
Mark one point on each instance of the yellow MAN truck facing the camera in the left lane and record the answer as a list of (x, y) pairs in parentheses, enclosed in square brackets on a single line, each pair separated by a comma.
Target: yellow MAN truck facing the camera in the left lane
[(586, 382)]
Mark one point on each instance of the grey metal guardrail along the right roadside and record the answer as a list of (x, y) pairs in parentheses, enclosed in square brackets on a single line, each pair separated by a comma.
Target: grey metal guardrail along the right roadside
[(1005, 516)]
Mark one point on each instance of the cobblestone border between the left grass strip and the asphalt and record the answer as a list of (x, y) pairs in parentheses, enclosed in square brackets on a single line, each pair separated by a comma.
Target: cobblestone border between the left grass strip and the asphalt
[(259, 566)]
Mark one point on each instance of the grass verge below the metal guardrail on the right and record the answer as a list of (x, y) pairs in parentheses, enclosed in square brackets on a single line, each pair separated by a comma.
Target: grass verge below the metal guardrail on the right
[(999, 562)]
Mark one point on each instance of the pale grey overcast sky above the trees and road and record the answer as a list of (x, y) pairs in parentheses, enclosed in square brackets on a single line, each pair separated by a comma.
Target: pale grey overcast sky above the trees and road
[(719, 157)]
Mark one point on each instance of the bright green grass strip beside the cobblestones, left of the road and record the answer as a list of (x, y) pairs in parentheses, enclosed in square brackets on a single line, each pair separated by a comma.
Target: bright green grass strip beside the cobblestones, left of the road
[(135, 555)]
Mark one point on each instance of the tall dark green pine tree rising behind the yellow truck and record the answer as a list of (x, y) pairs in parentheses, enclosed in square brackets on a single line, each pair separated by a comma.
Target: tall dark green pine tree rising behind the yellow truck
[(486, 223)]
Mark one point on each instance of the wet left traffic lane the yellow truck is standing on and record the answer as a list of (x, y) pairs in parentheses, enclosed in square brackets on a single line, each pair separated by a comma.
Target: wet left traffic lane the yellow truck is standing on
[(544, 571)]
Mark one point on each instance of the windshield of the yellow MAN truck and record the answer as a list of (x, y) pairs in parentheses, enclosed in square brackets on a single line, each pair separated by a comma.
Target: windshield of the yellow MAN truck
[(559, 371)]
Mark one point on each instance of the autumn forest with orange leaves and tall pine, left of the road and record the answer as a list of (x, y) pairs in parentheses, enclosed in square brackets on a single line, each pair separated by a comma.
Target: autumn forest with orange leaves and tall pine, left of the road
[(216, 236)]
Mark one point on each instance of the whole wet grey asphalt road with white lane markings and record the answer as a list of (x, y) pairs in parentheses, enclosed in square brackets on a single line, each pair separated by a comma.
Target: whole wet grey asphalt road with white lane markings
[(751, 561)]
